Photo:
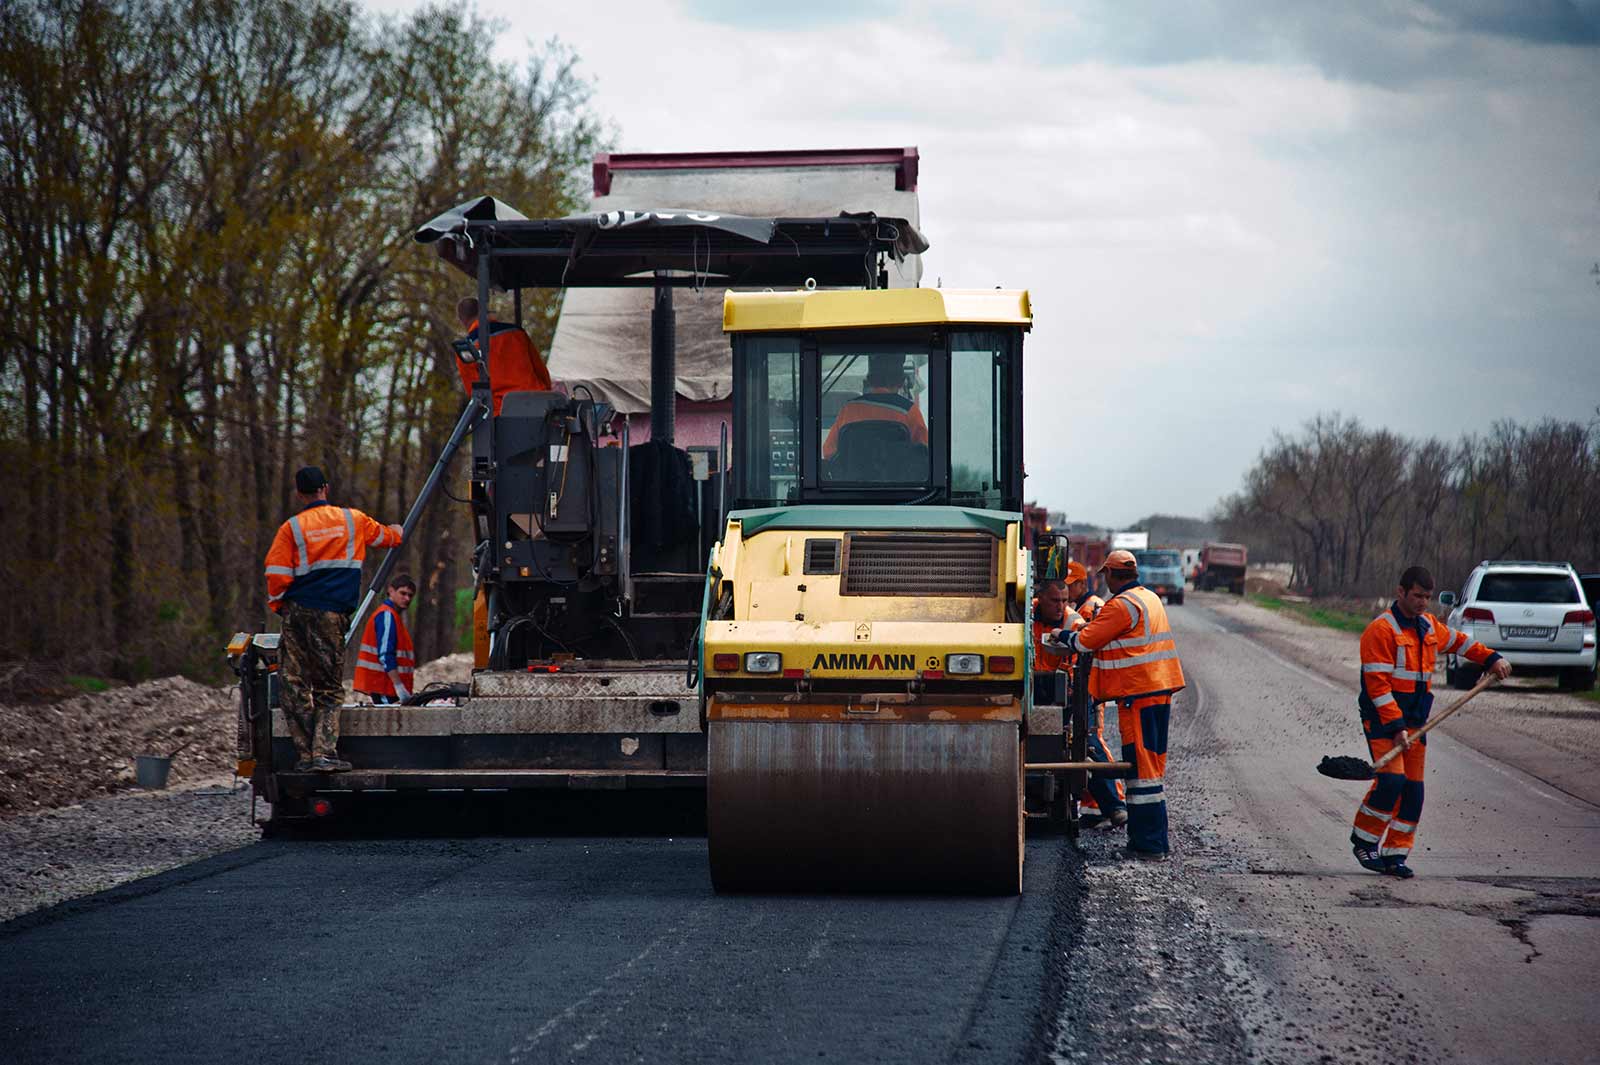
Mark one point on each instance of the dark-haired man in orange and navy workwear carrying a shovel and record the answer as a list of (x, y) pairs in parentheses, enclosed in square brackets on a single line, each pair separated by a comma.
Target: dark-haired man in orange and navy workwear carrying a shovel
[(1398, 668)]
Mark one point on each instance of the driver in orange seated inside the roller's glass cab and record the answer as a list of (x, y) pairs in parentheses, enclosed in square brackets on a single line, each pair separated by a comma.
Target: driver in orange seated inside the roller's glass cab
[(876, 426)]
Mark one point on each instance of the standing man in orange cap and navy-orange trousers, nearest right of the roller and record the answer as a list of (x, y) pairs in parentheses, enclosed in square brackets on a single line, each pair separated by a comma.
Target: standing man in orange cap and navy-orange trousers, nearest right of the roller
[(1137, 664)]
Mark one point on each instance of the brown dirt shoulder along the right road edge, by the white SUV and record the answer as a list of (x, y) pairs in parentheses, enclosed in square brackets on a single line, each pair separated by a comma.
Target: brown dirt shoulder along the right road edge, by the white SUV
[(1526, 724)]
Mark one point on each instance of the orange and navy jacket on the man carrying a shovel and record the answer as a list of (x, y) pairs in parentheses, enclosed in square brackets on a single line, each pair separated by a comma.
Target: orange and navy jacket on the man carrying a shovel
[(1398, 668)]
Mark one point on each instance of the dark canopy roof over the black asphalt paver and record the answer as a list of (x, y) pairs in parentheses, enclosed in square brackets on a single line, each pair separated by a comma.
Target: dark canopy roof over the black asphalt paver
[(625, 249)]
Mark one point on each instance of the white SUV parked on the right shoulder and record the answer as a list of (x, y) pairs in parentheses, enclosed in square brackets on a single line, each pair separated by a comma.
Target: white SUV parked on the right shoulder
[(1532, 613)]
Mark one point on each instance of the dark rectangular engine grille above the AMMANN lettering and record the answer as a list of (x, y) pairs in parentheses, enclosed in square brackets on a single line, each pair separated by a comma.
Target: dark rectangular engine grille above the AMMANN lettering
[(919, 564)]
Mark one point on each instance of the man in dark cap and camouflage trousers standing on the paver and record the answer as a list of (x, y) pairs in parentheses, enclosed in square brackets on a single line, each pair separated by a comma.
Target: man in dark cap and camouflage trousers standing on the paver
[(314, 581)]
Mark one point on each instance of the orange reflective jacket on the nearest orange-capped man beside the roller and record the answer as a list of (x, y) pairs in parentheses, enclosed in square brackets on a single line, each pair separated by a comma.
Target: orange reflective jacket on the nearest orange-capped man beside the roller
[(1134, 648)]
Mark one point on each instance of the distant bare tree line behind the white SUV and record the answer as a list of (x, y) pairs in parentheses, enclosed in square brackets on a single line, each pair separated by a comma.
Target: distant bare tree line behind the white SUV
[(1353, 506)]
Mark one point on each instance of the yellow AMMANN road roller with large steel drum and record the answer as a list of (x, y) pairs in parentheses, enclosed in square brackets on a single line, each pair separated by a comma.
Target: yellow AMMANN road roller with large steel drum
[(865, 650)]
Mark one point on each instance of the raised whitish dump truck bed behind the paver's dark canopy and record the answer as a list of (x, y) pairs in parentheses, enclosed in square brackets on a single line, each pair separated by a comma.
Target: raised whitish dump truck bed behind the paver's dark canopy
[(602, 338)]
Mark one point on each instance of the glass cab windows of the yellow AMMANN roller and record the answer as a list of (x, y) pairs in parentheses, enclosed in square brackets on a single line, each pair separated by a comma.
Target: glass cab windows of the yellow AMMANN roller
[(914, 417)]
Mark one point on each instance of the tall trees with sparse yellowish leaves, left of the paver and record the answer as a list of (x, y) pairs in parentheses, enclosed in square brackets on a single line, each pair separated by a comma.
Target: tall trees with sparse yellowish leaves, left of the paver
[(209, 281)]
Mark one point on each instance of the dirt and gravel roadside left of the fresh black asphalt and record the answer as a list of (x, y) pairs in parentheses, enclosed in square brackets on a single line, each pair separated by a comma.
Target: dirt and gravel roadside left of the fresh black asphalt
[(73, 821)]
